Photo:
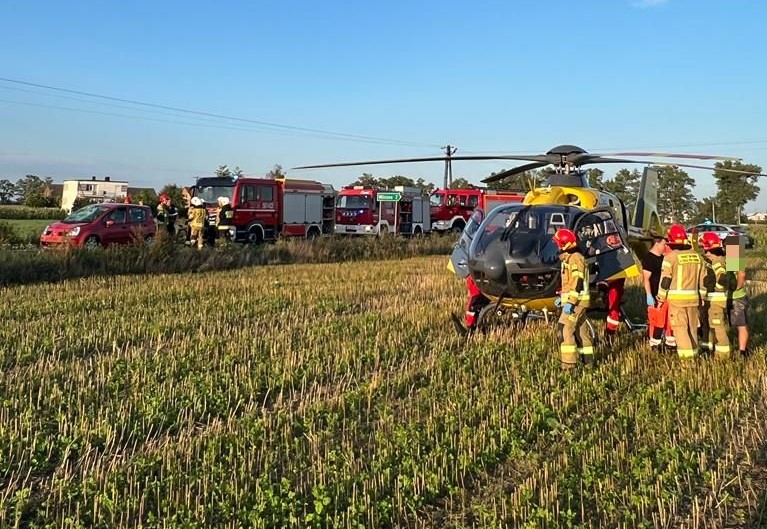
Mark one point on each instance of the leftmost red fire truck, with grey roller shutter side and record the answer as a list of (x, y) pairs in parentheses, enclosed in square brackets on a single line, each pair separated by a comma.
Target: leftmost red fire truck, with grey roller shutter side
[(267, 208)]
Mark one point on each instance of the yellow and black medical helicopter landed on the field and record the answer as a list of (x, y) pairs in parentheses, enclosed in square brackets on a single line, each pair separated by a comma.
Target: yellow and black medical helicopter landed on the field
[(509, 252)]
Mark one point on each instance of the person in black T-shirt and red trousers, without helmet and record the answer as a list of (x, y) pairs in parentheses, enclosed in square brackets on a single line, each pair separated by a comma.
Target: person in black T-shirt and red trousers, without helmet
[(658, 328)]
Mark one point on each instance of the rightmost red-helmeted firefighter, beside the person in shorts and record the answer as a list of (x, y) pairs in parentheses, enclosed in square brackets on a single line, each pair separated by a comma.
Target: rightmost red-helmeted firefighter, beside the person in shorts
[(714, 335)]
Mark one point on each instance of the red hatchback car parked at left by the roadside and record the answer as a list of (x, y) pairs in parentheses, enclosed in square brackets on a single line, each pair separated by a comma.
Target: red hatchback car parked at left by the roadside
[(102, 225)]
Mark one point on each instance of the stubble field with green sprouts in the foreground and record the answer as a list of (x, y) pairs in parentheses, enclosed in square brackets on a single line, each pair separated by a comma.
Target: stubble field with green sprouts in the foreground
[(338, 395)]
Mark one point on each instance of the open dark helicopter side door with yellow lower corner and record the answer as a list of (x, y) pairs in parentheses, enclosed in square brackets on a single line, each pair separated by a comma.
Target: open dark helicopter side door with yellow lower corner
[(603, 242)]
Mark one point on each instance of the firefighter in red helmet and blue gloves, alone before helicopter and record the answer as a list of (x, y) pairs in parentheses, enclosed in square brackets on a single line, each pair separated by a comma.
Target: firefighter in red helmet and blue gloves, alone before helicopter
[(574, 335)]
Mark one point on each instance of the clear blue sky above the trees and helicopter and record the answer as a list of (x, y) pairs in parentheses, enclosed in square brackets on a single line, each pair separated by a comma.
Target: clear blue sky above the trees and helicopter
[(486, 76)]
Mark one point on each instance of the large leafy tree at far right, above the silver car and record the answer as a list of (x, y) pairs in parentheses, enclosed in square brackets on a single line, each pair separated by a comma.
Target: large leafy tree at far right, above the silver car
[(735, 189)]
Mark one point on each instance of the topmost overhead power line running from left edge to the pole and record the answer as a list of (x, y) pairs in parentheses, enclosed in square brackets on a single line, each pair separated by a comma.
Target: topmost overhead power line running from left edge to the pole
[(221, 116)]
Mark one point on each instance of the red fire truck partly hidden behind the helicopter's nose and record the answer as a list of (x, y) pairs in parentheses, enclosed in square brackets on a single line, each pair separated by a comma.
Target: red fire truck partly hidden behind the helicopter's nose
[(451, 208)]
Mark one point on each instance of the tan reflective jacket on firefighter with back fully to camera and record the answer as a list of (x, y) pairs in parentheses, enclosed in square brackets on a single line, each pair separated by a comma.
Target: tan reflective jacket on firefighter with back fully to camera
[(681, 278)]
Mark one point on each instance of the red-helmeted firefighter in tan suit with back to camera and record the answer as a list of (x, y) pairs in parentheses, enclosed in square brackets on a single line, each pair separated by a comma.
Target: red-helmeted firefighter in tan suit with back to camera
[(681, 286)]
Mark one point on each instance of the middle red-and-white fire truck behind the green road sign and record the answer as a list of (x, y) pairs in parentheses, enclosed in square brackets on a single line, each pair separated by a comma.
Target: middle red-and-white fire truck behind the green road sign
[(372, 211)]
